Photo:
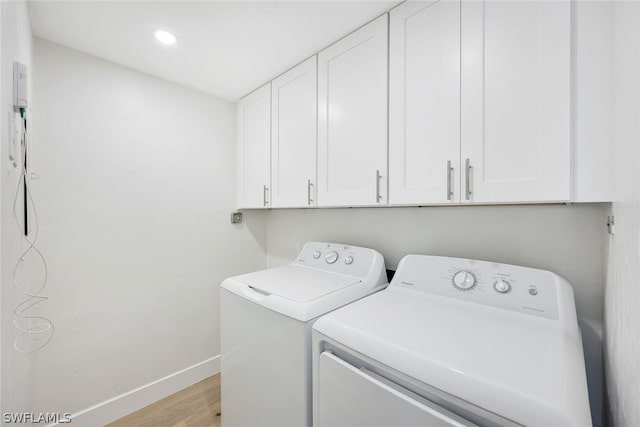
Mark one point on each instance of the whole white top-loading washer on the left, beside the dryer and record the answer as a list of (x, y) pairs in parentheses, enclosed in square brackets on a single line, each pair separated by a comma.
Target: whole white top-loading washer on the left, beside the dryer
[(266, 320)]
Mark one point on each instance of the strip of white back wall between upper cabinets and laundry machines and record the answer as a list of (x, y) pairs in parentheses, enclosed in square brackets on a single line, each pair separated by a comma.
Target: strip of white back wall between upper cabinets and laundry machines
[(568, 240)]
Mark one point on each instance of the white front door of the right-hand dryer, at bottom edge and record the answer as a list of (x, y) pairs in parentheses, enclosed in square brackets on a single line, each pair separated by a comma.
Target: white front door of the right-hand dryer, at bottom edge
[(353, 397)]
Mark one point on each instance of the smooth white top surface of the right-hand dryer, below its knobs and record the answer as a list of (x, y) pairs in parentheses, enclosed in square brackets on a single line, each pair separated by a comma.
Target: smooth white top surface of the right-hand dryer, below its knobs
[(527, 368)]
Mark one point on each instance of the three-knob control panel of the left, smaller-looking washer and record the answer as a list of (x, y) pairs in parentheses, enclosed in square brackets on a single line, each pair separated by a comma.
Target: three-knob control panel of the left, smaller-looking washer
[(338, 258)]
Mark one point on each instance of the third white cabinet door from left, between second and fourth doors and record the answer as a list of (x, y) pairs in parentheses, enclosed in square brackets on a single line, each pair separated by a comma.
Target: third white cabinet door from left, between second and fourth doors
[(352, 118)]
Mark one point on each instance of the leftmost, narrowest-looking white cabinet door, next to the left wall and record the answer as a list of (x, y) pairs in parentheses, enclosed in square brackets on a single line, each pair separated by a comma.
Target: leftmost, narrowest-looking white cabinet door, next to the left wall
[(254, 148)]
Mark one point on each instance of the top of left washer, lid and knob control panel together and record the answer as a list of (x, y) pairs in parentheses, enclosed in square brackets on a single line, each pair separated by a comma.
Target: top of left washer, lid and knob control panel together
[(322, 278)]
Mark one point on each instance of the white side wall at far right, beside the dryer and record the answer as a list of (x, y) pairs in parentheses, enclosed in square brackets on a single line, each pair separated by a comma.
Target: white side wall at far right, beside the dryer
[(622, 299)]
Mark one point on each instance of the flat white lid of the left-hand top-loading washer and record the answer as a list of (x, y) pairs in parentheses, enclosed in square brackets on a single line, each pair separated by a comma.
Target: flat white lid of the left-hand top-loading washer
[(295, 283)]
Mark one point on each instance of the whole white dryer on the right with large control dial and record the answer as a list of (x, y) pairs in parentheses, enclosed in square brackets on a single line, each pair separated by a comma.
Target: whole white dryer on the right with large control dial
[(453, 342)]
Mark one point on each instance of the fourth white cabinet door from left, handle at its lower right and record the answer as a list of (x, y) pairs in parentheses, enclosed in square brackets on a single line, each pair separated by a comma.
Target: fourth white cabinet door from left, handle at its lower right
[(424, 103)]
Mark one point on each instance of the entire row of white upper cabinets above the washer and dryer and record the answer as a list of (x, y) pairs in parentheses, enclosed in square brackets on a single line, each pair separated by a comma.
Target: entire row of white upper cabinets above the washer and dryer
[(438, 102)]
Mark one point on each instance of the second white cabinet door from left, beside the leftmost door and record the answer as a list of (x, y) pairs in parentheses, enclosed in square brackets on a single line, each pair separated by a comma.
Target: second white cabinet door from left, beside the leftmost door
[(293, 136)]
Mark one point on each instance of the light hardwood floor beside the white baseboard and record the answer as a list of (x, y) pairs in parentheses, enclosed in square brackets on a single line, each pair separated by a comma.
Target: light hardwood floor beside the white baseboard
[(196, 406)]
